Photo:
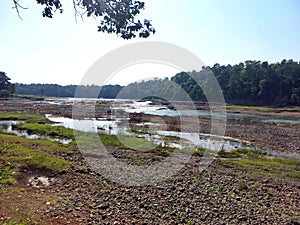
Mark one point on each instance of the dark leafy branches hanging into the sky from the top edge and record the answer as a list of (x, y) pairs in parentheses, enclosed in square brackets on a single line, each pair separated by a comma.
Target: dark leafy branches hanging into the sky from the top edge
[(116, 16)]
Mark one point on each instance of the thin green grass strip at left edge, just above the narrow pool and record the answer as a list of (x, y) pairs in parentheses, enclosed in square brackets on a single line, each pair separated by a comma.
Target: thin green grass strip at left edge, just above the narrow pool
[(30, 118)]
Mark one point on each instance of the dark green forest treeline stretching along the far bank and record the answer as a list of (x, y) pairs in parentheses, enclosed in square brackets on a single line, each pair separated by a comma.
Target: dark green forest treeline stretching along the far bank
[(247, 83)]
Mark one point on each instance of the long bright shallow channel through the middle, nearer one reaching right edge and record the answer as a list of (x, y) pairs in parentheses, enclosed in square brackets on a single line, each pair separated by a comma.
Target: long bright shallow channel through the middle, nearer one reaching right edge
[(187, 140)]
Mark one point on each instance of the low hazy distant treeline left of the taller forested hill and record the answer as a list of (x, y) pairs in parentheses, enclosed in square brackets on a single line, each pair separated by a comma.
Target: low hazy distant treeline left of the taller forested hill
[(55, 90)]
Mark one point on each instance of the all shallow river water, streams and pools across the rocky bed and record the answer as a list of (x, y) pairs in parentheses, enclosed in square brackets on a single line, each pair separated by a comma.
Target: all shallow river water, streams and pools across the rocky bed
[(113, 127)]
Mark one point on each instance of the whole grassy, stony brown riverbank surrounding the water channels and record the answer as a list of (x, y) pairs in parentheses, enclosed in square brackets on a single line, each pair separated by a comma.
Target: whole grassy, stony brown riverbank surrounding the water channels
[(239, 187)]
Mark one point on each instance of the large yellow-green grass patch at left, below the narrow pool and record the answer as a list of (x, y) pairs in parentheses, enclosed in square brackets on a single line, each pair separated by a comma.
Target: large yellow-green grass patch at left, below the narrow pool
[(17, 152)]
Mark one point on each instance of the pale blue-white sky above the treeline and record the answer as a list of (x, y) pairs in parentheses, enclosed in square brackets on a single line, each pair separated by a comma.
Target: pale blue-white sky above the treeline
[(59, 50)]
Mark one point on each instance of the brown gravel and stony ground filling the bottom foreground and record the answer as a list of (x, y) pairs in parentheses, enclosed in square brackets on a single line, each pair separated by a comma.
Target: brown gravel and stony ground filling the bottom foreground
[(218, 195)]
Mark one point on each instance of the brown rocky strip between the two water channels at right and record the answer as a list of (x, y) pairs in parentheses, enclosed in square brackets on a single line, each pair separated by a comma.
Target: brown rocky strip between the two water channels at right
[(282, 137)]
